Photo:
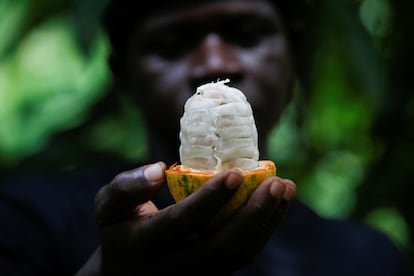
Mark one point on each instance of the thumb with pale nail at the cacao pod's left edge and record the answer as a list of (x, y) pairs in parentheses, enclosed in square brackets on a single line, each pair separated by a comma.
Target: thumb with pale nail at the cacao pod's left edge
[(118, 200)]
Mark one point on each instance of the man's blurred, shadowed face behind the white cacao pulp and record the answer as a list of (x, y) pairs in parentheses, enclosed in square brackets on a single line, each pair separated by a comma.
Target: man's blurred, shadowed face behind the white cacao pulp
[(172, 53)]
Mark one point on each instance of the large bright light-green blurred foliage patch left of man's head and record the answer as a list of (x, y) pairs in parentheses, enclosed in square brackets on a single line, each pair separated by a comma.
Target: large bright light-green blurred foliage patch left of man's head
[(47, 85)]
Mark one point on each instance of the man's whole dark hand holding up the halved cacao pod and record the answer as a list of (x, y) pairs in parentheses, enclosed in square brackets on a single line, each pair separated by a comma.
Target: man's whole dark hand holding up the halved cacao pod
[(138, 239)]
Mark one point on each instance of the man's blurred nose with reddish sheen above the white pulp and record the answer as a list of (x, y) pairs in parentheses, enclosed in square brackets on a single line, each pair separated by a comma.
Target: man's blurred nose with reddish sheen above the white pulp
[(215, 58)]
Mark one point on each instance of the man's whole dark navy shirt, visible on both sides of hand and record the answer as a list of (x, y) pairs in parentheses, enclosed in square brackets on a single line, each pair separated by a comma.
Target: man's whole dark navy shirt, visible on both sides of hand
[(48, 228)]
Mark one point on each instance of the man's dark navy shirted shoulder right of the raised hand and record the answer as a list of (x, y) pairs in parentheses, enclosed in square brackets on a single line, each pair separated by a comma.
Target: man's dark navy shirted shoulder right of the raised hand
[(307, 244)]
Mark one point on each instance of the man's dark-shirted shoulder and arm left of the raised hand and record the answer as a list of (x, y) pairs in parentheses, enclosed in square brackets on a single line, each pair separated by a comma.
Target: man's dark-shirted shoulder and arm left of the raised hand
[(48, 219)]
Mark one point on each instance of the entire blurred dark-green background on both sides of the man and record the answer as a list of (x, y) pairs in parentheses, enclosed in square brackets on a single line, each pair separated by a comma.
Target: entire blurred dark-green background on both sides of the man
[(347, 141)]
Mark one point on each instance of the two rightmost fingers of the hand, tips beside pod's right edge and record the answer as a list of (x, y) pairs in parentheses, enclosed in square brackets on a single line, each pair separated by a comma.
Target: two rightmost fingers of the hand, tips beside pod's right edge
[(247, 232)]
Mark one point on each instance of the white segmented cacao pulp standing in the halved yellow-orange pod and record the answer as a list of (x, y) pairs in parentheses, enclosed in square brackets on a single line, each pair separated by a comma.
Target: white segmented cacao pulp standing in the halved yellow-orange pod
[(218, 130)]
